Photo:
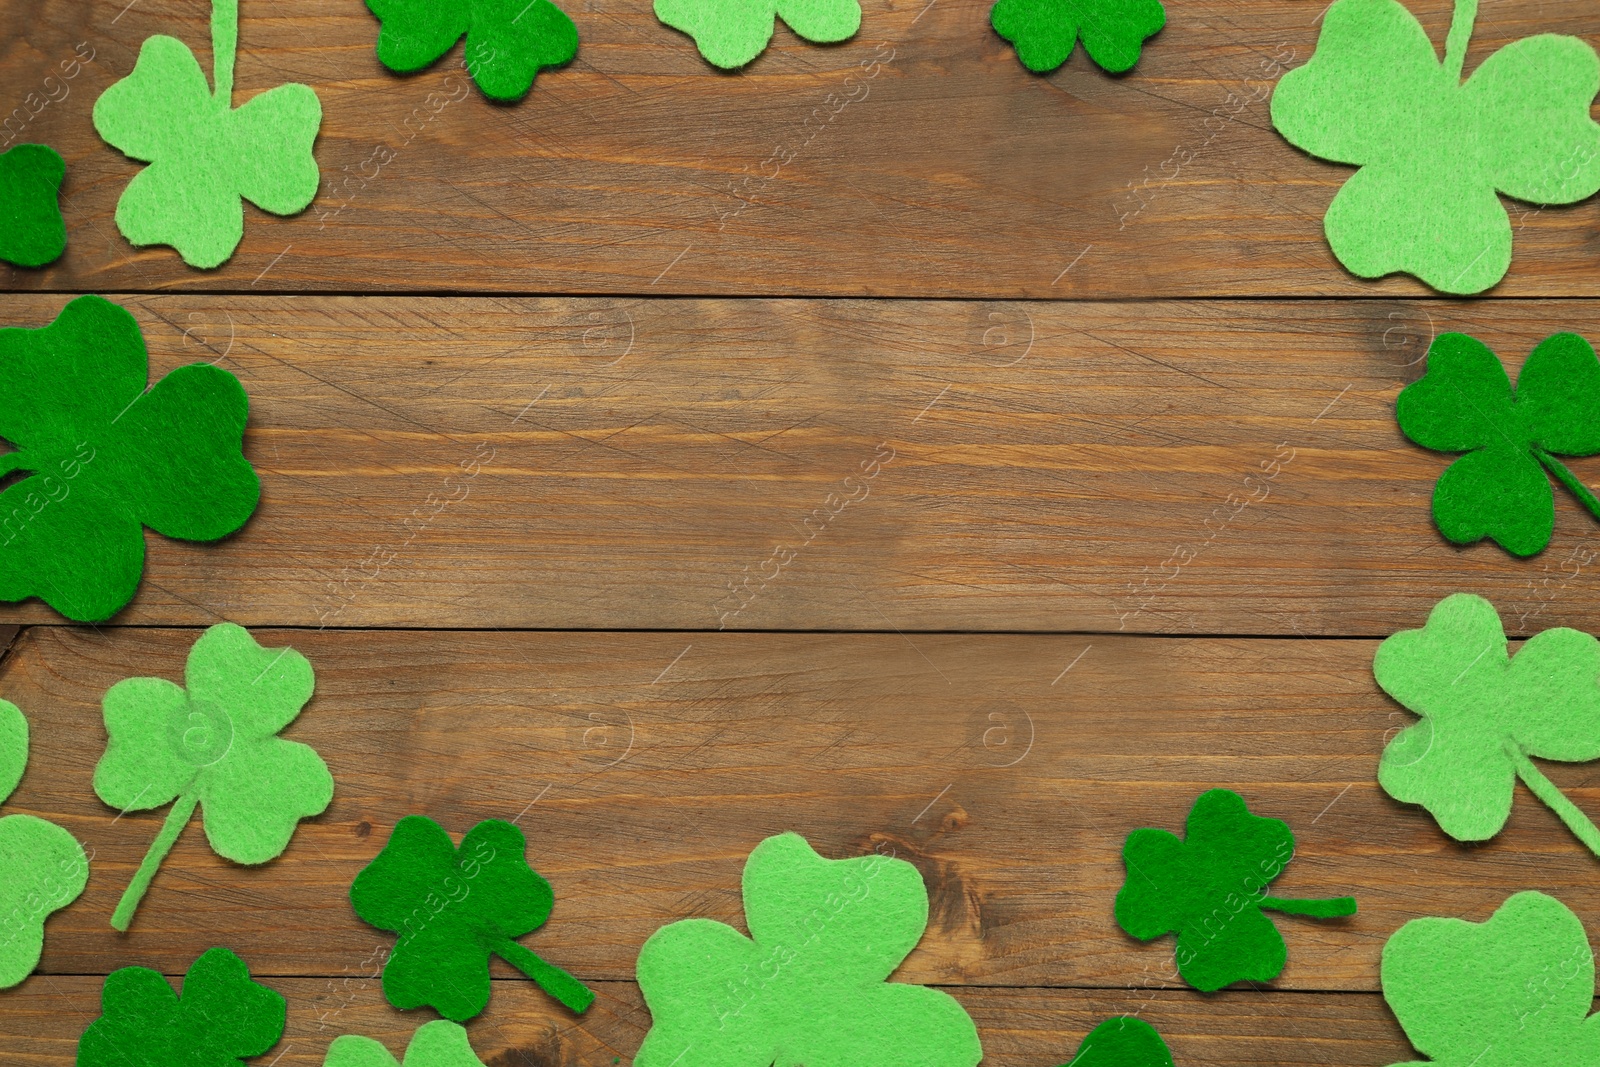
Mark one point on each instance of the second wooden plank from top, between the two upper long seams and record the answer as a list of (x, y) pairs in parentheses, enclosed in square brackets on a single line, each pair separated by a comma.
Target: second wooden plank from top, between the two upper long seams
[(690, 465)]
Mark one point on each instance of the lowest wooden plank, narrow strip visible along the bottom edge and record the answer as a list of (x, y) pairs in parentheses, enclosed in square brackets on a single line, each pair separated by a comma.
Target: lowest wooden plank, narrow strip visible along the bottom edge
[(1020, 1028)]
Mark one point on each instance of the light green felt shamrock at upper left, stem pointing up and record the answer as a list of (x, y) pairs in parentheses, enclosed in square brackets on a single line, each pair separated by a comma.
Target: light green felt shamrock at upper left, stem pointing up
[(206, 156)]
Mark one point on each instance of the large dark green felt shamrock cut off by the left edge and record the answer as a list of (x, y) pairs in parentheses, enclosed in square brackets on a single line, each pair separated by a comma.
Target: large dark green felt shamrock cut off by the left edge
[(108, 455)]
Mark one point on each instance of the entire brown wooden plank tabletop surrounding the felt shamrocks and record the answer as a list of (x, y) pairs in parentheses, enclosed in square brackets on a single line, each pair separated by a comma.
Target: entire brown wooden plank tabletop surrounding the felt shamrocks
[(1065, 358)]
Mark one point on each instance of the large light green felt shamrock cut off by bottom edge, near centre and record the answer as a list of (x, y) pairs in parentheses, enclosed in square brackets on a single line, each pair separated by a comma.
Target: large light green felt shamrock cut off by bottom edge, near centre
[(809, 986)]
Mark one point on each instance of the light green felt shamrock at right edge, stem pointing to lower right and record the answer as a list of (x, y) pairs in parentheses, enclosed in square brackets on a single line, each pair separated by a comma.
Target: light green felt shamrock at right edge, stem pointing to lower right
[(1484, 714)]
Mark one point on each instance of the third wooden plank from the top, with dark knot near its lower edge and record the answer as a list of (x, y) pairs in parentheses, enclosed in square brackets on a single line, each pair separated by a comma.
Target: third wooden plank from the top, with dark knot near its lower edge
[(644, 767)]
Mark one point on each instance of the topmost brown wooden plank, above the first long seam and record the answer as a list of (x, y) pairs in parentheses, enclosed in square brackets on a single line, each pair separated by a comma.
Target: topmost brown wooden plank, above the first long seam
[(918, 161)]
